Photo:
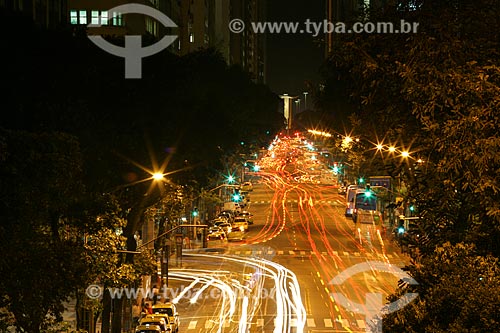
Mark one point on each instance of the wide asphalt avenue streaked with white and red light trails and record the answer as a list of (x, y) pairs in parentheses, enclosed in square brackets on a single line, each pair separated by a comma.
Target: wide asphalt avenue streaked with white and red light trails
[(304, 267)]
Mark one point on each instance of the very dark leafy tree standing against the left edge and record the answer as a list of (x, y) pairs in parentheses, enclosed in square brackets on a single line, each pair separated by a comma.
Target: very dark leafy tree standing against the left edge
[(40, 185)]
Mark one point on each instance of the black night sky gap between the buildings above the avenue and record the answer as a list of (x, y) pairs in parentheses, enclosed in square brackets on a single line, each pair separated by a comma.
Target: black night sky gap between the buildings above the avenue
[(293, 58)]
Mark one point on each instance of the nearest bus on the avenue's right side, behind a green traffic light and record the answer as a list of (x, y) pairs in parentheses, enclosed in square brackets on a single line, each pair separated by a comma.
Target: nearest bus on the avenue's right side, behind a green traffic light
[(365, 207)]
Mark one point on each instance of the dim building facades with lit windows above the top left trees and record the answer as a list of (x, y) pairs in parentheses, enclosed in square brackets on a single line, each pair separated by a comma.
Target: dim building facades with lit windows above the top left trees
[(200, 24)]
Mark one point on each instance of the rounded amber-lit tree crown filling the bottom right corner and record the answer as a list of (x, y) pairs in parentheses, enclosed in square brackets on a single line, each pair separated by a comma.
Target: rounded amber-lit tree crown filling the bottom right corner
[(456, 293)]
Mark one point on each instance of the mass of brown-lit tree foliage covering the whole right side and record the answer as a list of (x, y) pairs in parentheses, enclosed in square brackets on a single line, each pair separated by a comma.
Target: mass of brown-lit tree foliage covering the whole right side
[(436, 93)]
